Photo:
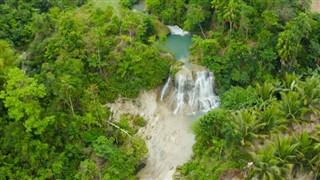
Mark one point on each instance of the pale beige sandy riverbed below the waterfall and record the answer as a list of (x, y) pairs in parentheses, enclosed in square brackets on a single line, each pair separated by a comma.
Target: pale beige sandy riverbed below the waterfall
[(169, 141)]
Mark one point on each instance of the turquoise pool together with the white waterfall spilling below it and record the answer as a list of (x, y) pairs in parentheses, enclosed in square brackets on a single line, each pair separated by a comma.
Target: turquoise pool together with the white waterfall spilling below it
[(193, 88)]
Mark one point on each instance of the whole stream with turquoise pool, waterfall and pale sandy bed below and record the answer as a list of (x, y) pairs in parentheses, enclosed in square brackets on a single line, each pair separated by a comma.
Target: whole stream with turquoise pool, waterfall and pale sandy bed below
[(171, 109)]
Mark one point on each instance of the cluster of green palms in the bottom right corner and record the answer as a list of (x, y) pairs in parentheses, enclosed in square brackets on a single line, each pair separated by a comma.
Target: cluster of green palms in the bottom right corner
[(285, 157)]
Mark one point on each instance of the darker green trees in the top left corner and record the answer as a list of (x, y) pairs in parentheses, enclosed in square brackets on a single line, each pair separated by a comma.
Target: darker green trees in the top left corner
[(16, 22)]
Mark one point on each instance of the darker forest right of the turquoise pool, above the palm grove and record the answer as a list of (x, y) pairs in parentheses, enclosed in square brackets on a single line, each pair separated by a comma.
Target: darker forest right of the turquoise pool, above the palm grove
[(245, 41)]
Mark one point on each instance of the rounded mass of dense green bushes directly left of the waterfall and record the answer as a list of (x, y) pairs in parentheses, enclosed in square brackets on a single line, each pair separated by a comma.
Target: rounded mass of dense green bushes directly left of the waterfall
[(138, 66)]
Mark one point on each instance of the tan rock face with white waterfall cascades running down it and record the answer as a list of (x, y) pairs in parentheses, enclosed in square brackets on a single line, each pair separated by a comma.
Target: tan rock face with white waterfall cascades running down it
[(191, 90)]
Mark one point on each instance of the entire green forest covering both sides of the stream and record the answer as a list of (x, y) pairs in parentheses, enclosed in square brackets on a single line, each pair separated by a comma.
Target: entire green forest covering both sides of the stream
[(62, 61)]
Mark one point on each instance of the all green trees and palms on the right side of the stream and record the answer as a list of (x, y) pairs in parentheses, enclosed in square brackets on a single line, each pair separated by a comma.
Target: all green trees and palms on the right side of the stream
[(265, 56)]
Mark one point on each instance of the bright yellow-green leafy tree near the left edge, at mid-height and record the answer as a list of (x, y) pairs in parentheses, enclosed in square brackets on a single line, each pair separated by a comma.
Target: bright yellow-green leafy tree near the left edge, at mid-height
[(21, 97)]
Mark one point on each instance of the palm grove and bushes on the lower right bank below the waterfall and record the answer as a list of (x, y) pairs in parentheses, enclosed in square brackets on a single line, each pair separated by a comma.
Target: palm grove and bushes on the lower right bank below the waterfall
[(278, 134)]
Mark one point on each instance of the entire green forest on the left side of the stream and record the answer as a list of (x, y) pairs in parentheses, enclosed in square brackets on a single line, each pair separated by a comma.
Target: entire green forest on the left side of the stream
[(60, 62)]
